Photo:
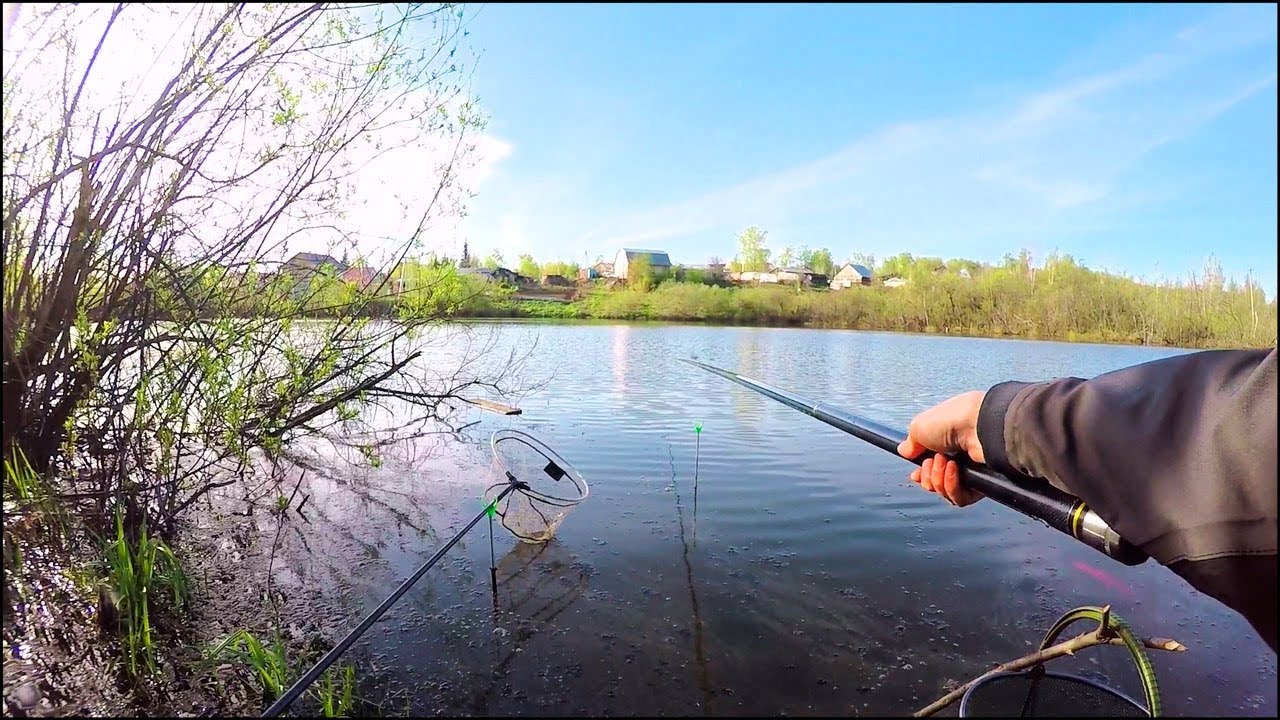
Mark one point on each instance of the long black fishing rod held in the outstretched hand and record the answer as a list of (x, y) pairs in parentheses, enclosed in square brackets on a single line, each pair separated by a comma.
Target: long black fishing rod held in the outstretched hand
[(1030, 496)]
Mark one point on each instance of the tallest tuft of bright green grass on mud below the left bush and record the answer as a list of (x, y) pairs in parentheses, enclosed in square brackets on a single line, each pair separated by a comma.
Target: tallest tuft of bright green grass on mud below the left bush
[(138, 572)]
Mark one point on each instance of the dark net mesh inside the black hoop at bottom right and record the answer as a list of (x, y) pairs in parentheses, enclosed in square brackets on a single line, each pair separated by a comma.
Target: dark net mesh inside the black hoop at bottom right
[(1054, 695)]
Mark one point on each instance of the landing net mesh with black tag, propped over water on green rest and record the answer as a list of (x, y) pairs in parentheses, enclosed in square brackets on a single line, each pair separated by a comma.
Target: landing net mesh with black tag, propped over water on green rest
[(550, 486)]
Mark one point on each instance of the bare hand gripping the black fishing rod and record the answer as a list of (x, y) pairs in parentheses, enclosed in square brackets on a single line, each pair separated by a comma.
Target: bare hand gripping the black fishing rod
[(949, 427)]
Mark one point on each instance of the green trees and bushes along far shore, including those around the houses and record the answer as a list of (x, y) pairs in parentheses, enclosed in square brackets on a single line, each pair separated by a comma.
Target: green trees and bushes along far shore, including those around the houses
[(1059, 299)]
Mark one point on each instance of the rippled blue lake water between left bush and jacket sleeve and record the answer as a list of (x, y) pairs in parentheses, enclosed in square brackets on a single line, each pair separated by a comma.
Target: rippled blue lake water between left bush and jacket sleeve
[(802, 576)]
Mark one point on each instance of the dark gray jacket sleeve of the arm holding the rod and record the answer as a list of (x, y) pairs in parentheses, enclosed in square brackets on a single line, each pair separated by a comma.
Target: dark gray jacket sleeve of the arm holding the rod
[(1178, 455)]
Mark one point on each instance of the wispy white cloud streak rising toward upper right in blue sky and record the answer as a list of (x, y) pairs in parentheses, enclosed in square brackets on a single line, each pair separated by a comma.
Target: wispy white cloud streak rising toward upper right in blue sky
[(1041, 165)]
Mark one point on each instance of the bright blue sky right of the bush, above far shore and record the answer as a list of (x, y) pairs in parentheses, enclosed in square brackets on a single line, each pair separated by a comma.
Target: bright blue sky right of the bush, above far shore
[(1137, 139)]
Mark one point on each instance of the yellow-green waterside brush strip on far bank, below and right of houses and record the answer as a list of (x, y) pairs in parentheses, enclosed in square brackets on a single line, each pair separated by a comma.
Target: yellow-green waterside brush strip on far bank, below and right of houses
[(1058, 300)]
